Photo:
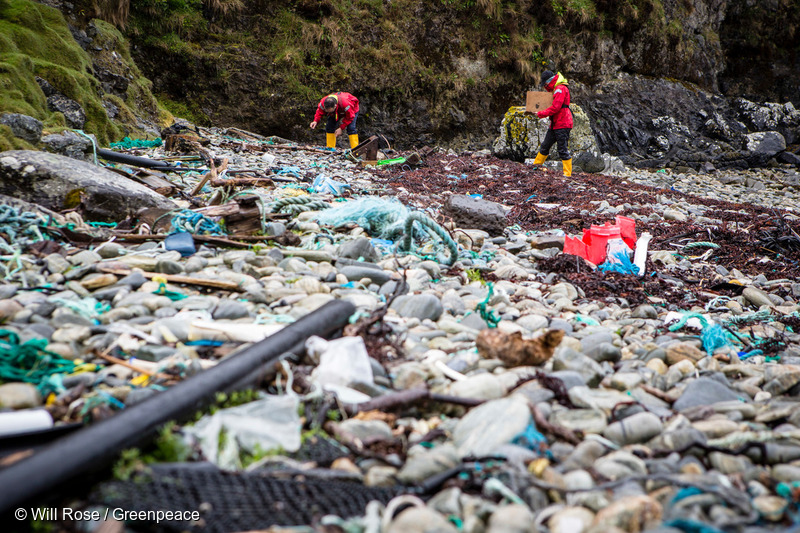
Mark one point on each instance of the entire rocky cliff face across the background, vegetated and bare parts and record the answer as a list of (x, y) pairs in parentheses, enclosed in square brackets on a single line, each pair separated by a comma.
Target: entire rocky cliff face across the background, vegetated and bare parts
[(447, 71)]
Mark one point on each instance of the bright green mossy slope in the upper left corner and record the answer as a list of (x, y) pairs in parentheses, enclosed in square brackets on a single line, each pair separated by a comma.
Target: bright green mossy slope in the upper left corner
[(35, 41)]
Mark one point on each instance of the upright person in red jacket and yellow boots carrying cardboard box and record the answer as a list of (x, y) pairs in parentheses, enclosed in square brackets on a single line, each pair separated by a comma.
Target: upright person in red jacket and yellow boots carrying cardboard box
[(560, 120)]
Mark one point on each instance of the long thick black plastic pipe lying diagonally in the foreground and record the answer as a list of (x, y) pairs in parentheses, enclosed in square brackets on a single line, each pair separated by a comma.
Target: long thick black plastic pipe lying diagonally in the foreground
[(97, 445)]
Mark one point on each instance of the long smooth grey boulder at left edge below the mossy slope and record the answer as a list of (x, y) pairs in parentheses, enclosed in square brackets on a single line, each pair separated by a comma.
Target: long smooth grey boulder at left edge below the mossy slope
[(57, 182)]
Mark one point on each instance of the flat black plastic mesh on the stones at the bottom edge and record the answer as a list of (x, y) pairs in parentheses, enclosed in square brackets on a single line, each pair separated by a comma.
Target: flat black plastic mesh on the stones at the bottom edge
[(236, 502)]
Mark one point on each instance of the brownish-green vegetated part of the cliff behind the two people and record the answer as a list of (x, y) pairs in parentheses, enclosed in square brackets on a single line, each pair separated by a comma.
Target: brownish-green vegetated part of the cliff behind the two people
[(418, 65)]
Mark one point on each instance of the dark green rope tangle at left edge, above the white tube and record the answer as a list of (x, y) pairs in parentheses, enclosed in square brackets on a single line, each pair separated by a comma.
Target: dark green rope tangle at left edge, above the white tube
[(29, 362)]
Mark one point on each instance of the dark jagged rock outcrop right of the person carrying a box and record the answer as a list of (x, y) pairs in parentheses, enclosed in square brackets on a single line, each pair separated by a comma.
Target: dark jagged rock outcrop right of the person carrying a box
[(657, 123)]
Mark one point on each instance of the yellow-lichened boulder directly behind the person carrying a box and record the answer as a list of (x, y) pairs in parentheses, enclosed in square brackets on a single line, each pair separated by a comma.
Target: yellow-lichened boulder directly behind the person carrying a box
[(521, 134)]
